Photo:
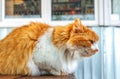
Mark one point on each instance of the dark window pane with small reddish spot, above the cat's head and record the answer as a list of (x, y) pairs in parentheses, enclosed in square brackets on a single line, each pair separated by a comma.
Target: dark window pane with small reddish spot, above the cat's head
[(71, 9)]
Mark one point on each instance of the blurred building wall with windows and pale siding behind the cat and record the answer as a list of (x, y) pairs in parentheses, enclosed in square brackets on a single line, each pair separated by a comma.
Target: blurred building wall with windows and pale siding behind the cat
[(103, 16)]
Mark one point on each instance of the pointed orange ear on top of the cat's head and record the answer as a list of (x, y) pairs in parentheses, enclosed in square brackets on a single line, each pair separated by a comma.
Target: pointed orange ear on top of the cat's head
[(77, 26)]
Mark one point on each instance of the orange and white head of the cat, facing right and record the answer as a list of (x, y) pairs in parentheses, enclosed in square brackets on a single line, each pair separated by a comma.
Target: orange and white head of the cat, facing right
[(82, 41)]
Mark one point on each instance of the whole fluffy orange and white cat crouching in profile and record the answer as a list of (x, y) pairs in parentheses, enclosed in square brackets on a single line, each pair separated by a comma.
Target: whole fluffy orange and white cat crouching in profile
[(38, 49)]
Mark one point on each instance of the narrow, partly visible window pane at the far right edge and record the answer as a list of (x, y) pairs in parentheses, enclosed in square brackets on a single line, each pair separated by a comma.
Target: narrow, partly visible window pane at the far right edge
[(115, 9)]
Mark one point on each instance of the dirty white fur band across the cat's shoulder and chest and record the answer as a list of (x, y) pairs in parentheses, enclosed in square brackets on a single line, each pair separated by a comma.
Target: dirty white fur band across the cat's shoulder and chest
[(46, 56)]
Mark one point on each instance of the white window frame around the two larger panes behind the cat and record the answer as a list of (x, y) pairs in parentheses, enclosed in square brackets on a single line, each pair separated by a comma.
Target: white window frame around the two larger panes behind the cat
[(46, 16)]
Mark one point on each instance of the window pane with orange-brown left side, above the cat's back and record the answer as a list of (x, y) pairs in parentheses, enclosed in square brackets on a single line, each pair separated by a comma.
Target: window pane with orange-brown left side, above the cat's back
[(22, 8)]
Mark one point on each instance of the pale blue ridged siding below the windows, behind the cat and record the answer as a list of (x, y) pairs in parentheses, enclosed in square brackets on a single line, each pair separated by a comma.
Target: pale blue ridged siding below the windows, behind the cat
[(103, 65)]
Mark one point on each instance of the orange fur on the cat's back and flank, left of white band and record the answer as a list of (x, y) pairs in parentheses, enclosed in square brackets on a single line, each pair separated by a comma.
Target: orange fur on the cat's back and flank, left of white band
[(18, 46)]
